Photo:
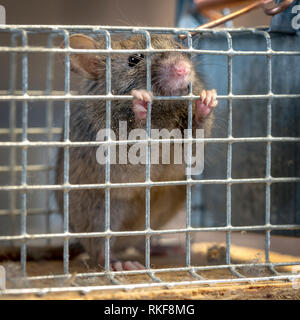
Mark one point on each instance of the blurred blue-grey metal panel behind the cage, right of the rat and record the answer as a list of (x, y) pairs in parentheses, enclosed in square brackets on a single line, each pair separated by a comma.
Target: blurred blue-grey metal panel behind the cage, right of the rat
[(249, 205)]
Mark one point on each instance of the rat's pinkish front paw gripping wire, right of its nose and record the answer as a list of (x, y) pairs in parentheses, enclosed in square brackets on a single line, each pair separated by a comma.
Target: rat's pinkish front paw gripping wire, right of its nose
[(207, 102)]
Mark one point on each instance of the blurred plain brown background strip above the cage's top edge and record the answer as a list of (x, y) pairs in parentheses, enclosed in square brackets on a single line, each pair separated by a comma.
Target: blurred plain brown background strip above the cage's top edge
[(108, 12)]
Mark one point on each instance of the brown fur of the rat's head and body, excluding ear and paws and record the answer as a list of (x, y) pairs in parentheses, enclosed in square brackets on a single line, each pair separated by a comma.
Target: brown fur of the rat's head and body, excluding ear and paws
[(127, 205)]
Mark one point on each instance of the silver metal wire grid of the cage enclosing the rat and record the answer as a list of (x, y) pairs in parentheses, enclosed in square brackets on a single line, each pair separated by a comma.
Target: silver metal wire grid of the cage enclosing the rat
[(67, 96)]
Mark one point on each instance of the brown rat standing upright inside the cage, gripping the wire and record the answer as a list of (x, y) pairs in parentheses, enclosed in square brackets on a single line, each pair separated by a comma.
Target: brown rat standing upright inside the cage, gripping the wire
[(171, 75)]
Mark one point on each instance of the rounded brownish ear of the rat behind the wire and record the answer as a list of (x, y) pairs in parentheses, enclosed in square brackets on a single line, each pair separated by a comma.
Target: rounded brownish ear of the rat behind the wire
[(86, 64)]
